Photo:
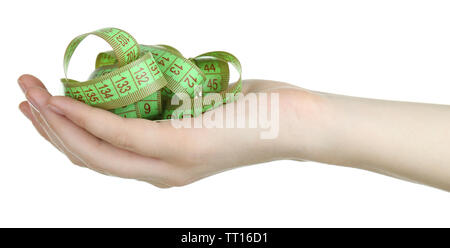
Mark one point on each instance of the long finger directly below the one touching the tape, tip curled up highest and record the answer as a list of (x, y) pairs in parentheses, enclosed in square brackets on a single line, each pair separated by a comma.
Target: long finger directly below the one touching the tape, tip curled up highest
[(96, 153)]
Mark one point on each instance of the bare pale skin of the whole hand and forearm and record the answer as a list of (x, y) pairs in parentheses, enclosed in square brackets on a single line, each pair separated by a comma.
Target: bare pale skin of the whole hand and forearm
[(400, 139)]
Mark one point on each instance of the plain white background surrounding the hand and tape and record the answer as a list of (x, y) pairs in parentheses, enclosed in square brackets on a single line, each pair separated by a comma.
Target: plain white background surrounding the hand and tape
[(398, 50)]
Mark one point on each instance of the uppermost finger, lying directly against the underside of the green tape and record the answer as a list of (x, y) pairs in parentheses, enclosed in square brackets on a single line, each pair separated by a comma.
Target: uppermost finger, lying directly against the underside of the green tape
[(138, 135)]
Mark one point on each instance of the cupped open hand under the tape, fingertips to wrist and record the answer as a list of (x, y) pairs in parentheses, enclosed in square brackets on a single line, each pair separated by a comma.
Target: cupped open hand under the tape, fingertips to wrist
[(156, 151)]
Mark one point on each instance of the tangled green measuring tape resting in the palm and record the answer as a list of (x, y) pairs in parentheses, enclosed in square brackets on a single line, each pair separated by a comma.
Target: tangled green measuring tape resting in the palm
[(139, 81)]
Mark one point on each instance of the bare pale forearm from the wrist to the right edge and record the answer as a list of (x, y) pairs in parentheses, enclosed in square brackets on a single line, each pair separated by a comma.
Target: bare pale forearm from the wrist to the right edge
[(406, 140)]
